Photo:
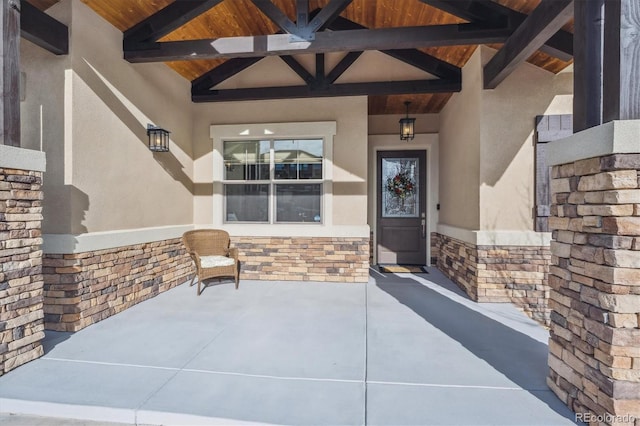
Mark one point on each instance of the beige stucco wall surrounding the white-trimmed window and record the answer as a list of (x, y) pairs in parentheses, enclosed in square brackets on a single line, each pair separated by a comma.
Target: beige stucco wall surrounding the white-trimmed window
[(349, 148)]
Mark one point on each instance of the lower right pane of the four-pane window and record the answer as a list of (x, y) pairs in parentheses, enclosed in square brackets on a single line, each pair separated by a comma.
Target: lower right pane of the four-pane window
[(298, 203)]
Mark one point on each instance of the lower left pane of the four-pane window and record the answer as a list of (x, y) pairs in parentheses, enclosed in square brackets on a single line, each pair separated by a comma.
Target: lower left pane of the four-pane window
[(247, 203)]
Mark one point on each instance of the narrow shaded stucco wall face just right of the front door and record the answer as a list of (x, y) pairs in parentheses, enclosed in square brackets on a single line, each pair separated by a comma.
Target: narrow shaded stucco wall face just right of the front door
[(460, 151)]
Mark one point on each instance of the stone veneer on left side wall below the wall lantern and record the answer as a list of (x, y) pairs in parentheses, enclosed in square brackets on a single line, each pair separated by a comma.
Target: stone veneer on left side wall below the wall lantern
[(81, 289)]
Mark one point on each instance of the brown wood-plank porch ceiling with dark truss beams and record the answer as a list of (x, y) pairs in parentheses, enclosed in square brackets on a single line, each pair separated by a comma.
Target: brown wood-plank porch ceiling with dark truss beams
[(236, 18)]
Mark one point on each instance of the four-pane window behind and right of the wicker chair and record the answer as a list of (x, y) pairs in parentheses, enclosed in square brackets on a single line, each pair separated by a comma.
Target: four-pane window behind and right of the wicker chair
[(273, 181)]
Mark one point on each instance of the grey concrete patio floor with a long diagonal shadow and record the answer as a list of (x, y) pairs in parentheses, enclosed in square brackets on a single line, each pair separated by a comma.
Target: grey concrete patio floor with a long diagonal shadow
[(406, 349)]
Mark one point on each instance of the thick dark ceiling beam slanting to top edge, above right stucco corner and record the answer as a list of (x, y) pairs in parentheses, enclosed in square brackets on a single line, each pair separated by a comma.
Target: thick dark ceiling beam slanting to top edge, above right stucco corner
[(544, 21)]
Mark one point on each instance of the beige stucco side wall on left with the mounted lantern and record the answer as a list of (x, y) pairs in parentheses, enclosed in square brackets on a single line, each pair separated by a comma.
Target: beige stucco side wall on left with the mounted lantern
[(102, 176)]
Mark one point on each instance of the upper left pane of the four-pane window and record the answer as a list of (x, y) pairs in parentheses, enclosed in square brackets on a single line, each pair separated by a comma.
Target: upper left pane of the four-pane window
[(246, 160)]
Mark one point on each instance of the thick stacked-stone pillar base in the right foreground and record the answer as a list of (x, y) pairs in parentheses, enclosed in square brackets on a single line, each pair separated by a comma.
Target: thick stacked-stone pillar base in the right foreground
[(595, 279)]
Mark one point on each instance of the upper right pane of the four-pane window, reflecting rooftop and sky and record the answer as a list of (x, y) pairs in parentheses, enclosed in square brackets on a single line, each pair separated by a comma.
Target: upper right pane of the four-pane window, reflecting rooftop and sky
[(298, 159)]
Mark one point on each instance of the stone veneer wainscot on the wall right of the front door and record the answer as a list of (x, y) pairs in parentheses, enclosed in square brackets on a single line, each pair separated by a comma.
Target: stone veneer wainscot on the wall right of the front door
[(499, 274)]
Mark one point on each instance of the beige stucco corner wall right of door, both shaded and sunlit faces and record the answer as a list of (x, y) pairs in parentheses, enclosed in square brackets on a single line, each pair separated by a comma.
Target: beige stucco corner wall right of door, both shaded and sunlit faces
[(487, 145)]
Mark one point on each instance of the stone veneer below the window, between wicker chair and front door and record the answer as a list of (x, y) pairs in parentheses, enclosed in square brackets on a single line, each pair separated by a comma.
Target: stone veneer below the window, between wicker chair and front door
[(337, 259)]
